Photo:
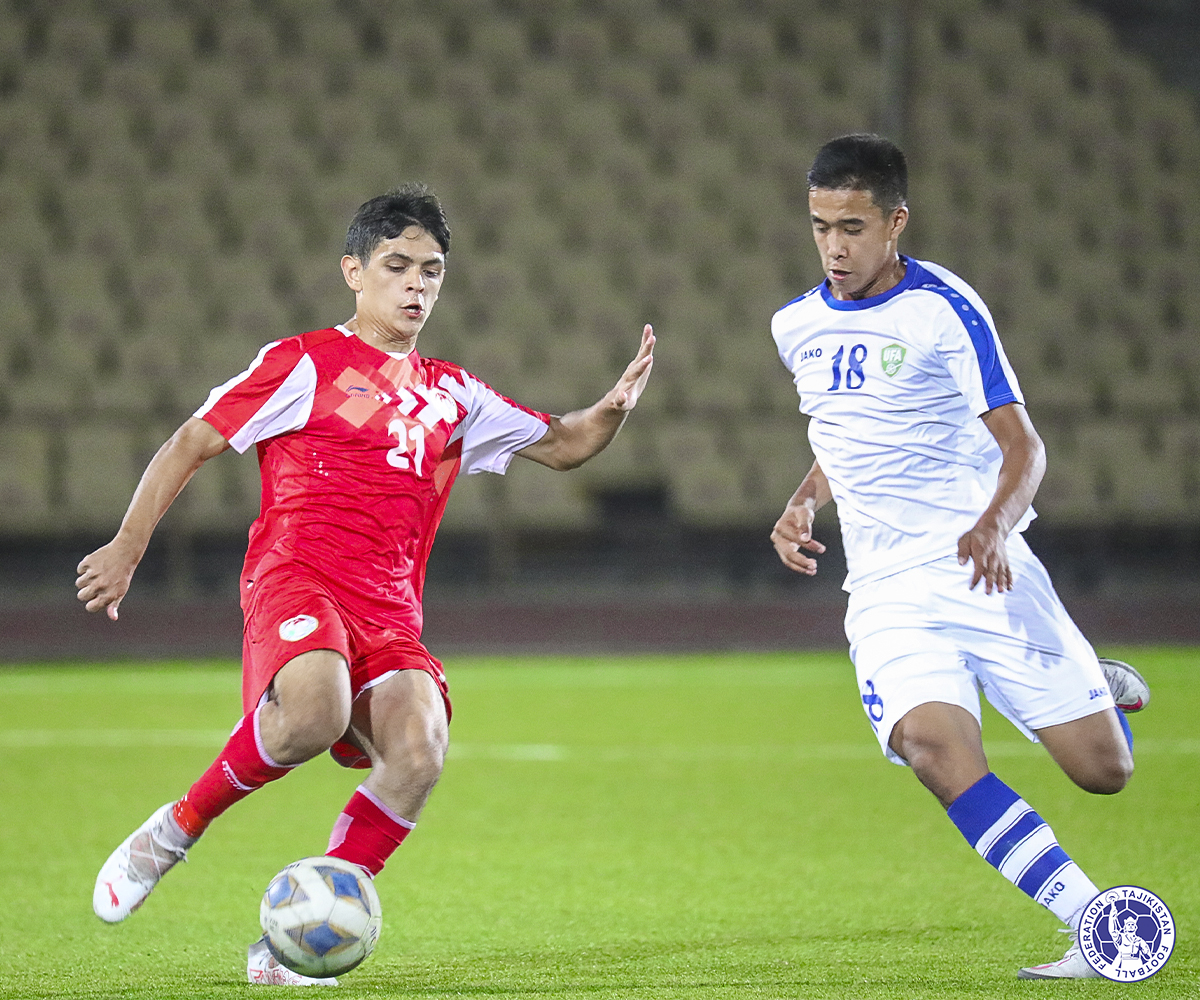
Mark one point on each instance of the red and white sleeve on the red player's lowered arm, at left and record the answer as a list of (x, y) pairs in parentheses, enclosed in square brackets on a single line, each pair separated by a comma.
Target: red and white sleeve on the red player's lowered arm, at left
[(272, 398)]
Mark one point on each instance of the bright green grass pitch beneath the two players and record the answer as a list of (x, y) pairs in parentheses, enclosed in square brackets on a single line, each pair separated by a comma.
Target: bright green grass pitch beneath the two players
[(701, 827)]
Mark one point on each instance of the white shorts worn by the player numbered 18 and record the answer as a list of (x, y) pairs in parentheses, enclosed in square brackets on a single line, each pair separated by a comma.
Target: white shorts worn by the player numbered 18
[(923, 636)]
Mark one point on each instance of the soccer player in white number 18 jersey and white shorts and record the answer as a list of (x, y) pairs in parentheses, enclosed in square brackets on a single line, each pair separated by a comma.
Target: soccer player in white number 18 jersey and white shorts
[(923, 442)]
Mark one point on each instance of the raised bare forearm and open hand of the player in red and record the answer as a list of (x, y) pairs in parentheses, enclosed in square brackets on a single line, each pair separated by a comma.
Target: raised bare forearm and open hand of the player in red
[(575, 438)]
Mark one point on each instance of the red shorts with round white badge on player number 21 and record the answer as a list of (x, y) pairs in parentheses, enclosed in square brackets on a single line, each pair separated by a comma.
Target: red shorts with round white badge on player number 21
[(290, 615)]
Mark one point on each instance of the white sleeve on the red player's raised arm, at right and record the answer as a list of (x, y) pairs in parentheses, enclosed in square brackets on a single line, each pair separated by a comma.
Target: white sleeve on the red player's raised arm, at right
[(495, 428)]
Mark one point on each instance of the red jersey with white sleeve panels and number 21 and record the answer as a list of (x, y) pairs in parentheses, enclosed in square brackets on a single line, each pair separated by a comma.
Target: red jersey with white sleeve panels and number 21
[(358, 451)]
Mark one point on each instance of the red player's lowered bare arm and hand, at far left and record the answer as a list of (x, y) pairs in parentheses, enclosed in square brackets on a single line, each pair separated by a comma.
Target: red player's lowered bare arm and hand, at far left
[(105, 576)]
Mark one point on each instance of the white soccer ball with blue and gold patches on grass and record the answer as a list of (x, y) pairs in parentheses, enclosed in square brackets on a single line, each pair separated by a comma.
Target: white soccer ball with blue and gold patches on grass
[(321, 917)]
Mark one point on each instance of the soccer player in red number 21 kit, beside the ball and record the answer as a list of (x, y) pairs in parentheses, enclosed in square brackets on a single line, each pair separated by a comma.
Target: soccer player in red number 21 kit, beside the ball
[(359, 440)]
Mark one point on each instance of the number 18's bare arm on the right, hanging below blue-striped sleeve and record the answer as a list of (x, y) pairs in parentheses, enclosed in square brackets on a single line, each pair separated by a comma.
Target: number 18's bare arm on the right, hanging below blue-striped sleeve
[(1021, 474)]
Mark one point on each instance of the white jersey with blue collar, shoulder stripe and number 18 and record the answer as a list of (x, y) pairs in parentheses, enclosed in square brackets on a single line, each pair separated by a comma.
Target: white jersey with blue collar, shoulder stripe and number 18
[(896, 386)]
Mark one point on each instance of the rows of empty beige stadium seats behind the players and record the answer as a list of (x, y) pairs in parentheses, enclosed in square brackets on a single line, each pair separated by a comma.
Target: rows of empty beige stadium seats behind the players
[(176, 183)]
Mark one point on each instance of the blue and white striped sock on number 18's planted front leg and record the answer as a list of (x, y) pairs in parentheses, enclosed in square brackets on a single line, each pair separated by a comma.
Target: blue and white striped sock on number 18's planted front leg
[(1019, 845)]
